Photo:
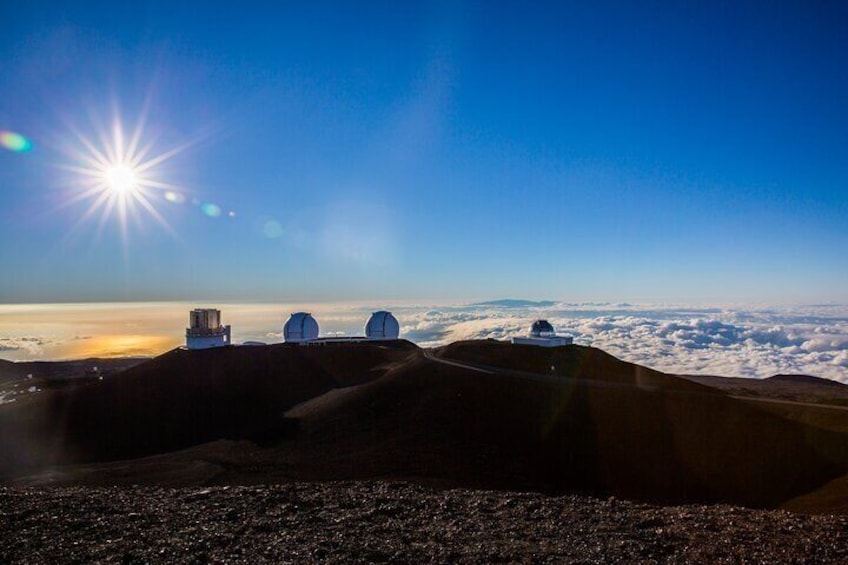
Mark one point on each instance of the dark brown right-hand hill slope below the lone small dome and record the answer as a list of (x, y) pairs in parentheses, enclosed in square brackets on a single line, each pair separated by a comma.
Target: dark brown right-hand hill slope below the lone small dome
[(668, 441)]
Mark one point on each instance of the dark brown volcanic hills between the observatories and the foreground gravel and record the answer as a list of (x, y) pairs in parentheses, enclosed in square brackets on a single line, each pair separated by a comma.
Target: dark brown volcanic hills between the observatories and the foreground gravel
[(479, 414)]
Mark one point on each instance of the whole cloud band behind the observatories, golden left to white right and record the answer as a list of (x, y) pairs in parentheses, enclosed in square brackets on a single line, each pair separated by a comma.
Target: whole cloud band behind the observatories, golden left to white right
[(735, 341)]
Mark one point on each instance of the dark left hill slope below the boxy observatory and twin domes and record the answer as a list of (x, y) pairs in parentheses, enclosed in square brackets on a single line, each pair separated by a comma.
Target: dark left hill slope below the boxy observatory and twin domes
[(180, 399)]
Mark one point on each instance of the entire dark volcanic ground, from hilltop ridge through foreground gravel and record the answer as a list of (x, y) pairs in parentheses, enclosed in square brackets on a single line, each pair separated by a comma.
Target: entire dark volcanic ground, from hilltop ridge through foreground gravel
[(474, 452)]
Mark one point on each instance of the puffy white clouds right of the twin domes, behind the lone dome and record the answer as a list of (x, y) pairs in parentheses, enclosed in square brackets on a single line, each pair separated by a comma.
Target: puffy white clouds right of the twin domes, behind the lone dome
[(726, 341)]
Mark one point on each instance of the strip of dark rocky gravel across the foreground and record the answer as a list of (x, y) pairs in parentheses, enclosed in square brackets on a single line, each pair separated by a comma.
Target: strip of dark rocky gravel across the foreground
[(398, 522)]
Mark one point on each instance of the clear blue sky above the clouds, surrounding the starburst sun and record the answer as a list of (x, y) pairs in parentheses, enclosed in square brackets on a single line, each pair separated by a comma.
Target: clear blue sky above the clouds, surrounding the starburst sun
[(445, 151)]
